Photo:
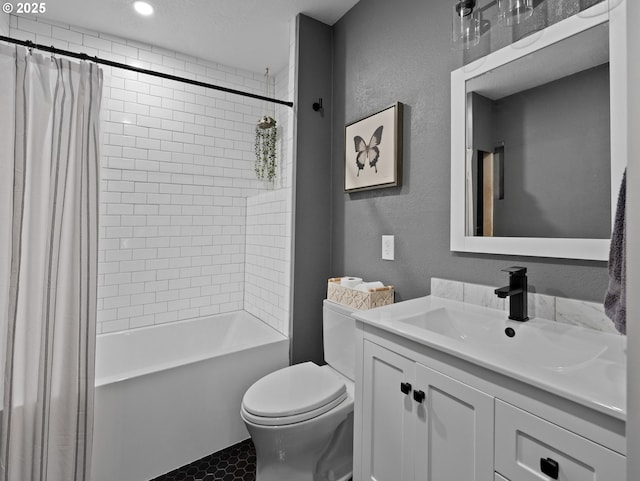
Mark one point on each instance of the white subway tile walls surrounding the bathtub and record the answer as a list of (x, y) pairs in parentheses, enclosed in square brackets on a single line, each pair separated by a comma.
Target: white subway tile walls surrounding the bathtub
[(177, 170)]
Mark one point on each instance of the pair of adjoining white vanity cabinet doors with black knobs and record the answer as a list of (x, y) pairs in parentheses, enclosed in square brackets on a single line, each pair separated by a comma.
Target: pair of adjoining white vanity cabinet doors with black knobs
[(419, 424)]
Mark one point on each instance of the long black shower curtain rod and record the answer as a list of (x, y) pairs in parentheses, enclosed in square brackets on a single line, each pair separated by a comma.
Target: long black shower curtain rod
[(84, 56)]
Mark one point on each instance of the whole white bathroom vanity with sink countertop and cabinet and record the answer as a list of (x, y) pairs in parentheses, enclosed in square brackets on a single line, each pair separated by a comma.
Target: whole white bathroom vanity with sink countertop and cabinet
[(452, 391)]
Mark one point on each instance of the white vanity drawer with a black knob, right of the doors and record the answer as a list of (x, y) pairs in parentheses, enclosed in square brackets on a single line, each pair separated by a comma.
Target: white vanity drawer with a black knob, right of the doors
[(527, 447)]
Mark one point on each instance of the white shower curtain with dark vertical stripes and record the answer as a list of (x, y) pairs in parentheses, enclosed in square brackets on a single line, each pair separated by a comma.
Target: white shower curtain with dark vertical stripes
[(49, 140)]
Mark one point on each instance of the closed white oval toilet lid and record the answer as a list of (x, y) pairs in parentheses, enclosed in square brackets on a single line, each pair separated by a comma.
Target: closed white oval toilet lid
[(295, 390)]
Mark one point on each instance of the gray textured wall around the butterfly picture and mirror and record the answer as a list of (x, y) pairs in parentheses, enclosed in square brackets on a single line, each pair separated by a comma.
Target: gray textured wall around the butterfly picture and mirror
[(400, 51)]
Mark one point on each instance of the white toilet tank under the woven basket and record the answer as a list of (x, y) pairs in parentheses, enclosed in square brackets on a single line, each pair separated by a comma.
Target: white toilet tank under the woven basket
[(339, 337)]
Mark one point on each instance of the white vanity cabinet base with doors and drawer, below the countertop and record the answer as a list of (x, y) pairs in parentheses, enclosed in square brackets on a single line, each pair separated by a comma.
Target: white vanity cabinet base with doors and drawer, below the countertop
[(426, 415)]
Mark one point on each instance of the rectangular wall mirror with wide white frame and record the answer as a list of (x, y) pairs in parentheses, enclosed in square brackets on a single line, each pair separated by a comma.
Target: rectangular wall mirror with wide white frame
[(534, 143)]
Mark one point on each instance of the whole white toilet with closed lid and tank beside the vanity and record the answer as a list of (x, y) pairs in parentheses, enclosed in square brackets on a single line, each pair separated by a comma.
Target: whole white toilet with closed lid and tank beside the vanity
[(300, 418)]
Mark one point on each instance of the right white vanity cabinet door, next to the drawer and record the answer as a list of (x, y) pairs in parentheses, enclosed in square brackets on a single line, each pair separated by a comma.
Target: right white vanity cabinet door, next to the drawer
[(454, 430)]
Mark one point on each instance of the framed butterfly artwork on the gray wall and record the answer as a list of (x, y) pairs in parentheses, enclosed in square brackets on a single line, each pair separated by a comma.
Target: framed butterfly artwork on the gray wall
[(373, 151)]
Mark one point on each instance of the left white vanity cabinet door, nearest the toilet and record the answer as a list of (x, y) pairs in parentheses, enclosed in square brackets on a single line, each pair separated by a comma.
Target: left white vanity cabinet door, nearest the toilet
[(387, 416)]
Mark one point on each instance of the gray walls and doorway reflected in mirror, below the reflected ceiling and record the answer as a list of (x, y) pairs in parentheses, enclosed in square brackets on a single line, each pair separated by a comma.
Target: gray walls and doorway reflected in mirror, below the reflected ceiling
[(531, 149)]
